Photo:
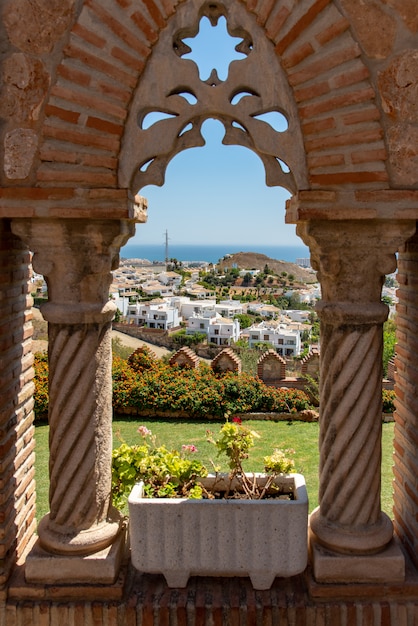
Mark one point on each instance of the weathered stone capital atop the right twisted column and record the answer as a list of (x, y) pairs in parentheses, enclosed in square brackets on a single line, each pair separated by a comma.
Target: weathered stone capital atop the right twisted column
[(353, 256)]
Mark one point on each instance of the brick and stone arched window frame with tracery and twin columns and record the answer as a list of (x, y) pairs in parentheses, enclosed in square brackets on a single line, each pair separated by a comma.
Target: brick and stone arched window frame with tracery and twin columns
[(76, 153)]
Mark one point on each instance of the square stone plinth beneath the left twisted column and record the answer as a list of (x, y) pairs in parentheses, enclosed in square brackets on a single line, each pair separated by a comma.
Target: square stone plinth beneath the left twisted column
[(102, 567)]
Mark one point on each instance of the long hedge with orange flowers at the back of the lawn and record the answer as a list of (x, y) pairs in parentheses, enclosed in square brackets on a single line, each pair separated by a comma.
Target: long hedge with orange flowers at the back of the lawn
[(145, 383)]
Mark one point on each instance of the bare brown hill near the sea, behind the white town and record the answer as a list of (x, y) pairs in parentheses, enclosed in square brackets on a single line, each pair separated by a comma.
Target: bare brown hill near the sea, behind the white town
[(254, 260)]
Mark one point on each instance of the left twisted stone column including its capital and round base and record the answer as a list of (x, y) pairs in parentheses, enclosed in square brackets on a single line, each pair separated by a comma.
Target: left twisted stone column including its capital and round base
[(76, 257)]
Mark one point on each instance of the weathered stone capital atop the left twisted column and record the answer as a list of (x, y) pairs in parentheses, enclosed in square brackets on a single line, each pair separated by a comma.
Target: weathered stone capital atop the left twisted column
[(76, 257)]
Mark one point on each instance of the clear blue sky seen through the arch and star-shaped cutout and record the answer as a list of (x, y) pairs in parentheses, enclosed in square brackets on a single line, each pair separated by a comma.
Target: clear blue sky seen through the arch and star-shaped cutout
[(215, 193)]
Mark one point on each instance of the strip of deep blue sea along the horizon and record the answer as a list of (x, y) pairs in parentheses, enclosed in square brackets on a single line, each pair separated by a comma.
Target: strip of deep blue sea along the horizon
[(210, 253)]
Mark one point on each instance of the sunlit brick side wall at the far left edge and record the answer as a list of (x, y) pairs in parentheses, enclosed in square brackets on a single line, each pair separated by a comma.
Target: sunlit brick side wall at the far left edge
[(17, 487)]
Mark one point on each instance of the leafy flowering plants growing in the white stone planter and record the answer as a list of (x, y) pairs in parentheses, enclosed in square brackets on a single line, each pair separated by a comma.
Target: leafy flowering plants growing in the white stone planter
[(172, 474)]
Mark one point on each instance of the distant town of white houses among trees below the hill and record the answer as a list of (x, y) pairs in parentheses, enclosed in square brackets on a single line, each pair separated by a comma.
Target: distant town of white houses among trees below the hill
[(245, 297)]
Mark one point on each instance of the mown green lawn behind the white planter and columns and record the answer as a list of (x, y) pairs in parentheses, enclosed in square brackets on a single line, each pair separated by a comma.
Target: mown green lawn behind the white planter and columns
[(301, 436)]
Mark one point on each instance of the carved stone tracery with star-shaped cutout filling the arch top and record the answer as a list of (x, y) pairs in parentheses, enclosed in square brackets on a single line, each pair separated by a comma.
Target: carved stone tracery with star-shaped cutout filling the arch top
[(255, 85)]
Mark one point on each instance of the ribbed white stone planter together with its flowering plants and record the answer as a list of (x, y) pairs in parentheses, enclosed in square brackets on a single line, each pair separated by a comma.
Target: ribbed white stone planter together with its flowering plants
[(184, 521)]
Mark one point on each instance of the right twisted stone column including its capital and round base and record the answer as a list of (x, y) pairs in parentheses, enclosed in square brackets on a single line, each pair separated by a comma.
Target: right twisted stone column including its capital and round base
[(352, 259)]
